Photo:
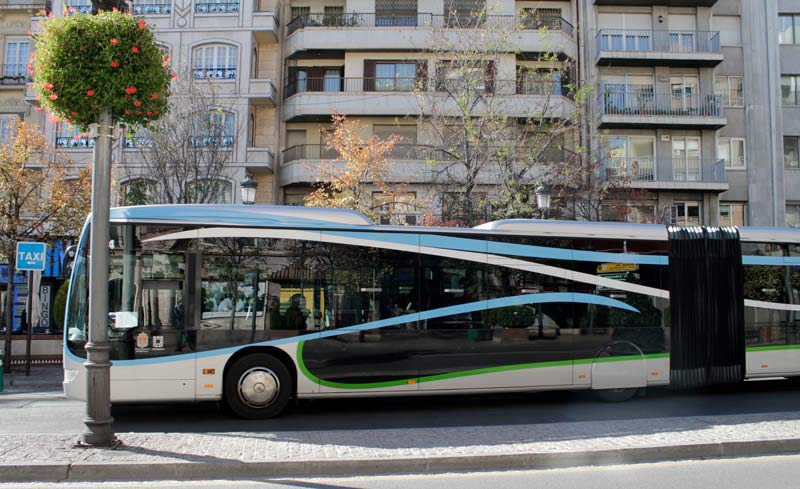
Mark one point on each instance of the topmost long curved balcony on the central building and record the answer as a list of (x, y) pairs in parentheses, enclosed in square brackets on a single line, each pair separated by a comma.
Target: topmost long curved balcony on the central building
[(414, 31)]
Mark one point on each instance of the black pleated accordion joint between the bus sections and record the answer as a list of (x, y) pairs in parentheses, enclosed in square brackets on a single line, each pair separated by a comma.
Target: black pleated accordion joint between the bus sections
[(706, 307)]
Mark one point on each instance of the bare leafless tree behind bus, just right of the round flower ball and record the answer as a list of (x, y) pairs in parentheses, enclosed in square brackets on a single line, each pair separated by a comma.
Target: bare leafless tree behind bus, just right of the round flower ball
[(185, 156)]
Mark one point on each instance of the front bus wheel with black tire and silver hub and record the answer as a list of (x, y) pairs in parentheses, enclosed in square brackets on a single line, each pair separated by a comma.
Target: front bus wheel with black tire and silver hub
[(258, 386)]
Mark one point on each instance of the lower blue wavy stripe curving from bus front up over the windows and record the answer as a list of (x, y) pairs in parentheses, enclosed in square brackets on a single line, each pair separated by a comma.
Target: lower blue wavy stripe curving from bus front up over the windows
[(517, 300)]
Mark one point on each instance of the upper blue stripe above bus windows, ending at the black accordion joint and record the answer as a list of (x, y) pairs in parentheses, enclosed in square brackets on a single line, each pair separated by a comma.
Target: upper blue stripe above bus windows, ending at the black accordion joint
[(496, 247)]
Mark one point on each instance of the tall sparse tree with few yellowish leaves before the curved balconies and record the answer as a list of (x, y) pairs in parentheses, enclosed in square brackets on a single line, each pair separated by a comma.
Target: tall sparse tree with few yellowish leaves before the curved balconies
[(502, 123)]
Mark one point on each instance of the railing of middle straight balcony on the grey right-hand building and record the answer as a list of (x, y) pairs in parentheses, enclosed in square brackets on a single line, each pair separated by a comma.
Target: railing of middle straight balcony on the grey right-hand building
[(645, 102)]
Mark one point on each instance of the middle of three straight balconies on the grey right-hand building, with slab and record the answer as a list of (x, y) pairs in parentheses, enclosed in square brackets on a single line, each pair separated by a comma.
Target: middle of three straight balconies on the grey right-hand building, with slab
[(642, 108)]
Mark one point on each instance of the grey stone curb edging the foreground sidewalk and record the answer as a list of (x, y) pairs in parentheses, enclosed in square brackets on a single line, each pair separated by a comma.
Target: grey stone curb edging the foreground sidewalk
[(133, 471)]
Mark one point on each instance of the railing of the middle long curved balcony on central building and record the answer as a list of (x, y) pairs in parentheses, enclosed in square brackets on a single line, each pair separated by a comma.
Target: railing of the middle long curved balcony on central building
[(408, 85)]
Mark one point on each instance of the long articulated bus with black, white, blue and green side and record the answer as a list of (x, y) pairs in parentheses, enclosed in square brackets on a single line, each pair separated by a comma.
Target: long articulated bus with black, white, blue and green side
[(261, 305)]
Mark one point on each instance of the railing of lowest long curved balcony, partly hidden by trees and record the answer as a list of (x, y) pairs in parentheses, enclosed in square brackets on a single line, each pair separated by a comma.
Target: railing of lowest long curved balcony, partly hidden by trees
[(400, 151)]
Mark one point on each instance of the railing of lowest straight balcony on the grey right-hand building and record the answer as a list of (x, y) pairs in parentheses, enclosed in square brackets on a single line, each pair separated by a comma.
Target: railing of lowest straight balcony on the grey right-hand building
[(664, 169)]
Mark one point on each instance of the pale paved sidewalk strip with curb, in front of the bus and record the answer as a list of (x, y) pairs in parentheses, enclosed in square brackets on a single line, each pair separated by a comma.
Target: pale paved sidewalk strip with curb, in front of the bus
[(142, 456)]
